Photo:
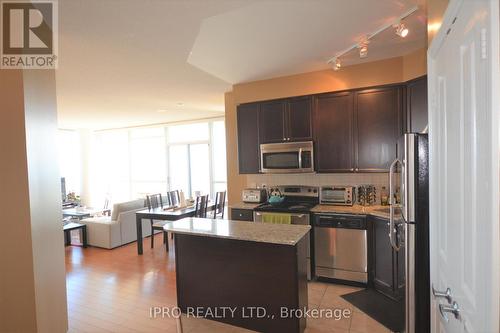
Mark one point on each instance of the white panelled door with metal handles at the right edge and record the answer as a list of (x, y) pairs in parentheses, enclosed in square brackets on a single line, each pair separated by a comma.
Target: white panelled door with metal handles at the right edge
[(464, 171)]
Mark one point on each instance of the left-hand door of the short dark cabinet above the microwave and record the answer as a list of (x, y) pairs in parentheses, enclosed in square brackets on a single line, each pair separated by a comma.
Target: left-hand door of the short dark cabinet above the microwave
[(272, 121)]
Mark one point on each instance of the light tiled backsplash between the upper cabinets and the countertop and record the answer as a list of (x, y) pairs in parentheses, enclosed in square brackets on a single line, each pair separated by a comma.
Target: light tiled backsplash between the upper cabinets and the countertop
[(379, 180)]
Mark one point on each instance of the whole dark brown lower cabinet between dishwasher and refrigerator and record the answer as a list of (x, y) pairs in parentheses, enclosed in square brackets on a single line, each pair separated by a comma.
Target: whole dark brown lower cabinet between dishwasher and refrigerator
[(387, 265)]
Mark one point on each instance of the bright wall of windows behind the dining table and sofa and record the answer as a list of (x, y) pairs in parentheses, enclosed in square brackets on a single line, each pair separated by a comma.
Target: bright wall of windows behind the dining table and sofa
[(189, 157)]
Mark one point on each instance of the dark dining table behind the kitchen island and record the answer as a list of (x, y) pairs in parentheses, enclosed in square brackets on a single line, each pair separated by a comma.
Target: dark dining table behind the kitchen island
[(163, 214)]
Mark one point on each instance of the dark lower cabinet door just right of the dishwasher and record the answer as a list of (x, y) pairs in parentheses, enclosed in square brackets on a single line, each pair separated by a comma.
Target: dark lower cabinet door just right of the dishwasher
[(383, 267)]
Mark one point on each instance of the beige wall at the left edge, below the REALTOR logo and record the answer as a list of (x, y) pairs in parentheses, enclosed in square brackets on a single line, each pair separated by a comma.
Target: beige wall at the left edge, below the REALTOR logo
[(32, 283)]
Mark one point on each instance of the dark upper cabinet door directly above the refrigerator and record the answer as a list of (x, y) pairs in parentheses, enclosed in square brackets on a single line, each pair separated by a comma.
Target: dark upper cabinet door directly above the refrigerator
[(416, 105)]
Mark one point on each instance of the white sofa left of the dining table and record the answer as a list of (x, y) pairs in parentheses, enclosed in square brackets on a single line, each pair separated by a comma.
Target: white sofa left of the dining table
[(118, 229)]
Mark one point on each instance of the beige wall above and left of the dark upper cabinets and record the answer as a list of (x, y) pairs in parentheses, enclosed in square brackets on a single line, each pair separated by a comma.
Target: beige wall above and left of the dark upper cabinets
[(388, 71)]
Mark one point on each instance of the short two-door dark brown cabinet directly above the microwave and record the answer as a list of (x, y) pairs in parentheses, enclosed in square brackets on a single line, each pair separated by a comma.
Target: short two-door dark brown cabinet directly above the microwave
[(286, 120)]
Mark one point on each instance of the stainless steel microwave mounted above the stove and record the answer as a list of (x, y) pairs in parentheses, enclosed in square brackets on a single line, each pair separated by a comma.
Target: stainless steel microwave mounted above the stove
[(290, 157)]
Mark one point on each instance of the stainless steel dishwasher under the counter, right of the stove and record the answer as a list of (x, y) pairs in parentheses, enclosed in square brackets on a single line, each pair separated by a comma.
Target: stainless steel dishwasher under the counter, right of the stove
[(340, 244)]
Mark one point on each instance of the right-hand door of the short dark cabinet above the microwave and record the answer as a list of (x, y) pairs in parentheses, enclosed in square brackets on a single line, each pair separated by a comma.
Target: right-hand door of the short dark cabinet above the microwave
[(299, 119)]
